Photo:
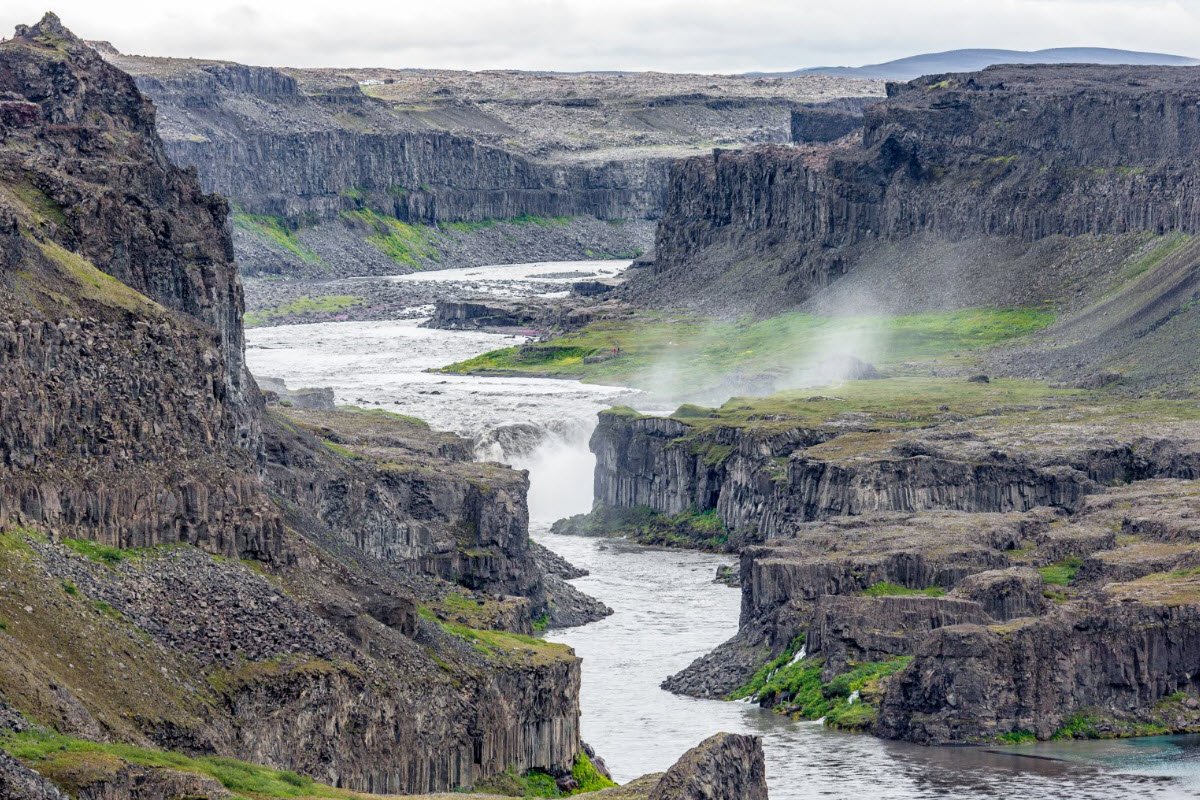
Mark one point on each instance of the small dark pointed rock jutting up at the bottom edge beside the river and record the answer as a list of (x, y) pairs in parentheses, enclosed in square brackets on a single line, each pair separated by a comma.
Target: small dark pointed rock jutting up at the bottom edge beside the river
[(724, 767)]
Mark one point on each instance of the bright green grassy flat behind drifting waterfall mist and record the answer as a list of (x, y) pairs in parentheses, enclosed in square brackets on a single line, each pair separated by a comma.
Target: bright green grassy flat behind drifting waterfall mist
[(657, 351)]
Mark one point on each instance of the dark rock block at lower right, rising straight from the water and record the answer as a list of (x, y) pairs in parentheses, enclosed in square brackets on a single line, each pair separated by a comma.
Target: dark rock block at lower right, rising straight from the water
[(971, 683)]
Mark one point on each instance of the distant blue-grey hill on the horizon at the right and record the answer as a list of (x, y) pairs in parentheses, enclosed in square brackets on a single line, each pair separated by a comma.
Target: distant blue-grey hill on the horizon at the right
[(977, 59)]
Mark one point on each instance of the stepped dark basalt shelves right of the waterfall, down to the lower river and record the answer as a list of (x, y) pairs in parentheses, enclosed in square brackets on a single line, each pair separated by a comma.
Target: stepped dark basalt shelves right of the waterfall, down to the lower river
[(1010, 572)]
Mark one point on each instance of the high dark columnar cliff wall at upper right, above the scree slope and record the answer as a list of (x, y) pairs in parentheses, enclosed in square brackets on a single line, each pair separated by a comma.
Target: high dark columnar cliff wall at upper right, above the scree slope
[(1013, 154)]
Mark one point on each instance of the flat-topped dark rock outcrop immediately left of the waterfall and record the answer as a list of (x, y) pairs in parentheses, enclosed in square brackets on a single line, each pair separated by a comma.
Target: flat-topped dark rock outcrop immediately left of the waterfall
[(409, 497)]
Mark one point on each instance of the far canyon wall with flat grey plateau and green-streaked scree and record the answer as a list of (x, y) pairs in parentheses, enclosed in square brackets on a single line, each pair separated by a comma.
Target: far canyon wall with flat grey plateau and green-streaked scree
[(377, 172)]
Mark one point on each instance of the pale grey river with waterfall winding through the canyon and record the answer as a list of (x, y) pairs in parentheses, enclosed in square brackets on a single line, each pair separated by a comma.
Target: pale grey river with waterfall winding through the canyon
[(669, 611)]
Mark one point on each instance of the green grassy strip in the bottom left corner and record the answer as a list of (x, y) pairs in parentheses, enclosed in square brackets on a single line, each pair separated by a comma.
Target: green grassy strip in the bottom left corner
[(73, 763)]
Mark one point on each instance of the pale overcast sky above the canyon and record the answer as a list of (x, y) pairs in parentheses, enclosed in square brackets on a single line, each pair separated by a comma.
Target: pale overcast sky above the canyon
[(668, 35)]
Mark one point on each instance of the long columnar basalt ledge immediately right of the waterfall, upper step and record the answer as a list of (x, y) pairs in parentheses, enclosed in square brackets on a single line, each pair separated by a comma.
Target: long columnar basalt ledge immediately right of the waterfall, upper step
[(767, 479)]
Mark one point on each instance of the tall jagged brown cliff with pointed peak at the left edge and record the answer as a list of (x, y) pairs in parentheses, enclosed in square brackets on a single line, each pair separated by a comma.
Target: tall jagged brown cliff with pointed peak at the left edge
[(128, 413)]
